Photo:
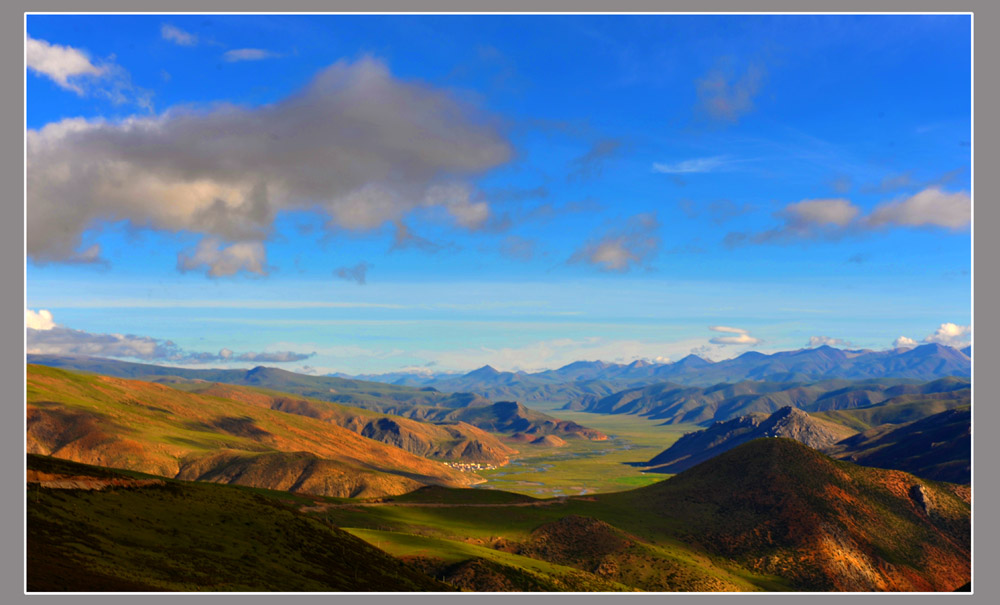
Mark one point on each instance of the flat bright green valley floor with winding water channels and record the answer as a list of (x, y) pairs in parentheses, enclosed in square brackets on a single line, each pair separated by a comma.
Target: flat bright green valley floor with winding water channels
[(586, 467)]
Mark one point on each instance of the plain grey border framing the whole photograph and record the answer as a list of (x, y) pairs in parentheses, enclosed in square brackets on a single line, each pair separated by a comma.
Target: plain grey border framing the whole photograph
[(987, 249)]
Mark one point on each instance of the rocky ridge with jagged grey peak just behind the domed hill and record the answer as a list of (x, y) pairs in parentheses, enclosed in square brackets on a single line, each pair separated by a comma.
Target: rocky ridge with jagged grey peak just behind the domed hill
[(695, 448)]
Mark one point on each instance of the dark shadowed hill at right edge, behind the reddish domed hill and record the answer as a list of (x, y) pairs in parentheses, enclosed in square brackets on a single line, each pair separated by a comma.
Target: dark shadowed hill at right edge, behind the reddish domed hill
[(938, 447)]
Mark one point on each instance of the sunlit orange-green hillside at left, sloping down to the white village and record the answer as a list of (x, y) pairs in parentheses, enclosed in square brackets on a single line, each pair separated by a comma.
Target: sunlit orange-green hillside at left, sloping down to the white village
[(156, 429)]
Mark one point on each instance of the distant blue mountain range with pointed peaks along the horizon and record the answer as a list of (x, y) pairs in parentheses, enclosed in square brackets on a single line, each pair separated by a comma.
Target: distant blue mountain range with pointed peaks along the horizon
[(584, 382)]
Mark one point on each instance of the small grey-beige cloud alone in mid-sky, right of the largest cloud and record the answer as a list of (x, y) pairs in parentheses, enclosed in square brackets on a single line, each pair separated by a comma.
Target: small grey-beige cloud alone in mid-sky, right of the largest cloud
[(623, 247)]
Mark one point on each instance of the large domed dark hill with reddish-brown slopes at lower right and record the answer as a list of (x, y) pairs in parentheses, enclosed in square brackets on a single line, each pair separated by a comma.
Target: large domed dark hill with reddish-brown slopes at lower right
[(779, 507)]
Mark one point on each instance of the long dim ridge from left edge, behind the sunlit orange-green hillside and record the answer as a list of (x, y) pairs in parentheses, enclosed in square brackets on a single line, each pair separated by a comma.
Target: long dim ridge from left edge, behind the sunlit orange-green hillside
[(426, 404)]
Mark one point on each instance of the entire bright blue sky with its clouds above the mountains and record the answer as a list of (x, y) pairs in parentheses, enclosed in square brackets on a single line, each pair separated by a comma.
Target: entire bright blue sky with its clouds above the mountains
[(368, 193)]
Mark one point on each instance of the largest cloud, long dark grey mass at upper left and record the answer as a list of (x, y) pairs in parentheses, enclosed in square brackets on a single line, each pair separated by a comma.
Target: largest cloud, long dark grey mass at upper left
[(358, 144)]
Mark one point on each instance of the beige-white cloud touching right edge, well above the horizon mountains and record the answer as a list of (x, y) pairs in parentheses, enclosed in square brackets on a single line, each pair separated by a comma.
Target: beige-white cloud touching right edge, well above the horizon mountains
[(932, 207)]
